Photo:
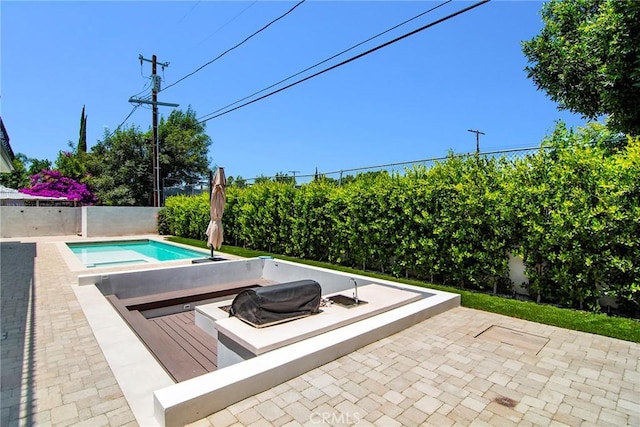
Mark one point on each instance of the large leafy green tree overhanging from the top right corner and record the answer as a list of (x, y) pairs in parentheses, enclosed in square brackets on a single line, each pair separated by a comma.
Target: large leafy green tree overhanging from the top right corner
[(587, 59)]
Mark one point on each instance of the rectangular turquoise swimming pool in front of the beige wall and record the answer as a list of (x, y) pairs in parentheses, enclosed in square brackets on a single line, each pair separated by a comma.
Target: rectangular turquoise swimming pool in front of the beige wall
[(127, 252)]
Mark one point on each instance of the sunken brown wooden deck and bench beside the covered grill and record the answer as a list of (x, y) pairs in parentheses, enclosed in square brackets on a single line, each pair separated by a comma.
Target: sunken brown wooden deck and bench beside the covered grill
[(182, 348)]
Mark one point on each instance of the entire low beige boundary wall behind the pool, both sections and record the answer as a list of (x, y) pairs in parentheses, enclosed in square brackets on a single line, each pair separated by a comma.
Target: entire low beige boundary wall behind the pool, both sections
[(87, 221)]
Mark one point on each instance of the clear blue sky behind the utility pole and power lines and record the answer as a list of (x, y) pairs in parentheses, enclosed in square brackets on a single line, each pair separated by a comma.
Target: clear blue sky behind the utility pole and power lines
[(415, 99)]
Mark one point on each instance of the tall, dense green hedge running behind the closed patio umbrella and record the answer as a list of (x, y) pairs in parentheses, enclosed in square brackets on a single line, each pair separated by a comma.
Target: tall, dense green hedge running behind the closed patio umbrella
[(572, 211)]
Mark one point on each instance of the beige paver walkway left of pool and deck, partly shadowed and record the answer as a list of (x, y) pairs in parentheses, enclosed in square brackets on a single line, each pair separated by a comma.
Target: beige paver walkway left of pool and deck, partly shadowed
[(59, 375)]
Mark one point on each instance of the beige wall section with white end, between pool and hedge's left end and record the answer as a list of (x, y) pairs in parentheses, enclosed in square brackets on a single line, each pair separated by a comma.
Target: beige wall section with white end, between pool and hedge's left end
[(102, 221)]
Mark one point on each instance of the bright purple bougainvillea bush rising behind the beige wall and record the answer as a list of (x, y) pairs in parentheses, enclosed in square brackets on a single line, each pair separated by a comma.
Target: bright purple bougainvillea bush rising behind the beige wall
[(50, 183)]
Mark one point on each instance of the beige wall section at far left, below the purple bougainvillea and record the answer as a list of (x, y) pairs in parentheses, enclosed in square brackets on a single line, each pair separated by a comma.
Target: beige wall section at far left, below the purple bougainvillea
[(31, 221)]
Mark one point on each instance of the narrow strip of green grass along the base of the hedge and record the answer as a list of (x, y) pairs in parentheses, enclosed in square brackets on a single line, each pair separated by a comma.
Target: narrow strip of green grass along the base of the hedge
[(600, 324)]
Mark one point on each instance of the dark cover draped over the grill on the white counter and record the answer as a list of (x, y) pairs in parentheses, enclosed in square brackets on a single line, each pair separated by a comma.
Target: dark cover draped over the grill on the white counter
[(269, 305)]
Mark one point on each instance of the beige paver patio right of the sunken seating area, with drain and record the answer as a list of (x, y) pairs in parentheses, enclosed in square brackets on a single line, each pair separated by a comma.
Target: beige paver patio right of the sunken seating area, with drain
[(438, 373)]
